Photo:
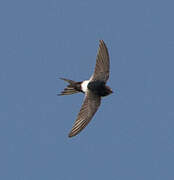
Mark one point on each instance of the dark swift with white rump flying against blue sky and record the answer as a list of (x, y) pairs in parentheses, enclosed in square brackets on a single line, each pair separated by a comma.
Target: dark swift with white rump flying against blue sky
[(94, 89)]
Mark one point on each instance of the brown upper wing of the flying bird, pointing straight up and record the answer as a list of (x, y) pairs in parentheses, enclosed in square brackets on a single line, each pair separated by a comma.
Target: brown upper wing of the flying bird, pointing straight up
[(102, 66)]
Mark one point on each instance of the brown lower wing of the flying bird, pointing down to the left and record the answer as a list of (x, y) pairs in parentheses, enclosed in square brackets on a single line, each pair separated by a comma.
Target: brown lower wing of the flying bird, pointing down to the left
[(87, 111)]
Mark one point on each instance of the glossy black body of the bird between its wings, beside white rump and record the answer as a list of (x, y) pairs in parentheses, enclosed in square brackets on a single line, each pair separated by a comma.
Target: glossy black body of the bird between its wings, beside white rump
[(98, 88)]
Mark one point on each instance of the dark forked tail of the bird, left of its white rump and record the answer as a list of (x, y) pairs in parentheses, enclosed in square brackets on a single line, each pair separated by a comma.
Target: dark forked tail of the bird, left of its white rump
[(70, 89)]
